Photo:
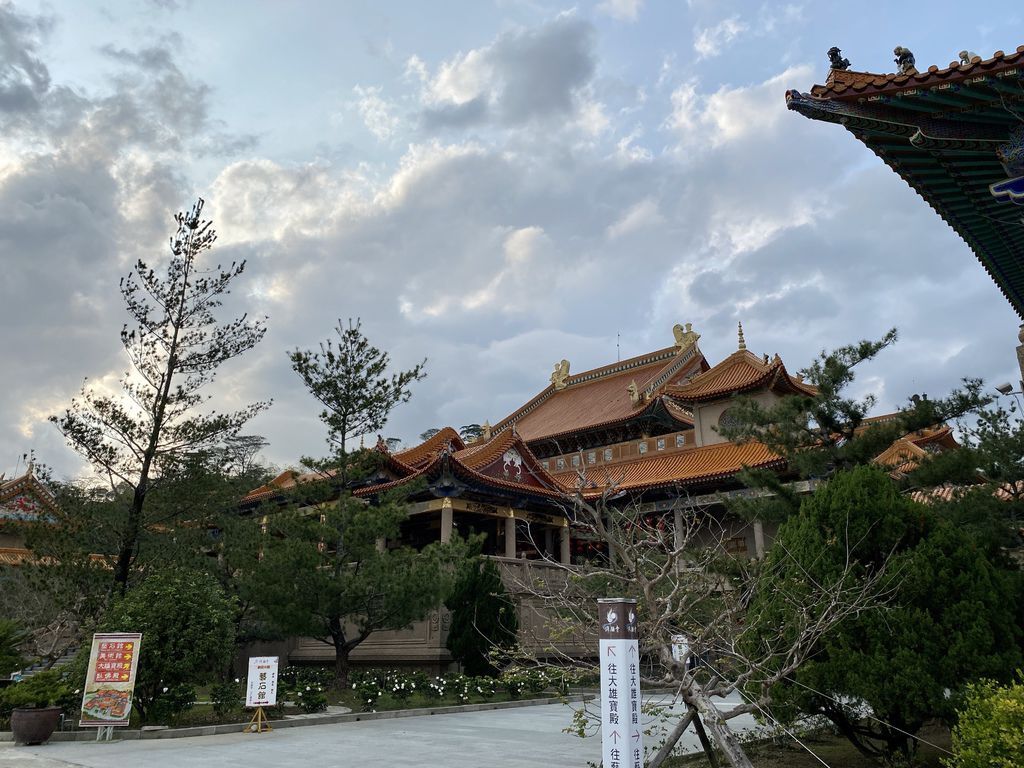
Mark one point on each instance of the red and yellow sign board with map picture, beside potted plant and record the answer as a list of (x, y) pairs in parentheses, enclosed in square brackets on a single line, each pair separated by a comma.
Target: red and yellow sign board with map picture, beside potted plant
[(110, 682)]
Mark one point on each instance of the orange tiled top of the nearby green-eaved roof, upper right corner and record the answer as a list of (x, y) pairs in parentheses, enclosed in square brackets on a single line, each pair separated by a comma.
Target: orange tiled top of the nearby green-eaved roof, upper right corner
[(851, 87)]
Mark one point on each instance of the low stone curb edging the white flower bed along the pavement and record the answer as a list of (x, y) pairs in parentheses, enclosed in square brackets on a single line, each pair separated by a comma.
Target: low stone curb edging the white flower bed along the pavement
[(306, 720)]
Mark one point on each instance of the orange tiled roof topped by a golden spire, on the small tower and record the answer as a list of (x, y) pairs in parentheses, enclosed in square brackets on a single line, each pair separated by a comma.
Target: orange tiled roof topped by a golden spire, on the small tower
[(741, 372)]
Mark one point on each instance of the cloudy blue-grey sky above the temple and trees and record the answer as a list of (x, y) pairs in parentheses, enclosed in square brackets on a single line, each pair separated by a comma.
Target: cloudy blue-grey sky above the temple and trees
[(492, 186)]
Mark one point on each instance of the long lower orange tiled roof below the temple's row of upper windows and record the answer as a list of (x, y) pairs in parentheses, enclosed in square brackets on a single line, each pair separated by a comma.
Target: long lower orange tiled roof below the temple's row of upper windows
[(695, 466)]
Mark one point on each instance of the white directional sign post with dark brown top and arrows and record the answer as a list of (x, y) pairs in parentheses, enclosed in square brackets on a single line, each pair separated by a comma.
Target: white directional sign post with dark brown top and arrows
[(622, 740)]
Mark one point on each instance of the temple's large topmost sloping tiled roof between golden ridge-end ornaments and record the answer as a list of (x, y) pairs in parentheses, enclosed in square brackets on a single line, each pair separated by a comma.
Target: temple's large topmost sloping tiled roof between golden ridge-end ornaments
[(601, 397)]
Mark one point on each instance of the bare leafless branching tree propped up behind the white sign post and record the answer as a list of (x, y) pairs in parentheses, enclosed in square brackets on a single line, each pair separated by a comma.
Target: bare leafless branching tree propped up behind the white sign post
[(676, 565)]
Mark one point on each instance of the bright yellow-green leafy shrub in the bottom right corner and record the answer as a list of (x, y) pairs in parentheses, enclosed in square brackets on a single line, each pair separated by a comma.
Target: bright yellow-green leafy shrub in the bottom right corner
[(991, 731)]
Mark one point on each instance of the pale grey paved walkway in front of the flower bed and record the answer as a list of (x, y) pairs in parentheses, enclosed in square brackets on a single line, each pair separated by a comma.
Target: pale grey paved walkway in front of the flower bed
[(529, 738)]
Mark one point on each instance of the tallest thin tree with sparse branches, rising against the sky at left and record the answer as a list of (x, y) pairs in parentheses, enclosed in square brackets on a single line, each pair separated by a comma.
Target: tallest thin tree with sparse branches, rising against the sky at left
[(176, 347)]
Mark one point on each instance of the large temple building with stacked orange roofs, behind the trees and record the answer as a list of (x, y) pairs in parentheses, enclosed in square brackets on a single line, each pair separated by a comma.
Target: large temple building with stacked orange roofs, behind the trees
[(646, 429)]
